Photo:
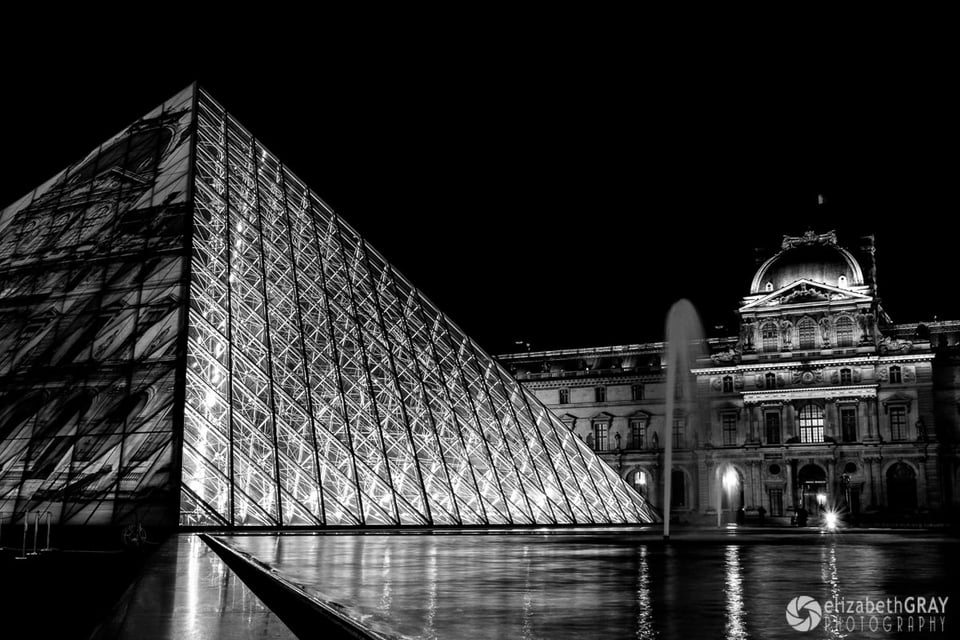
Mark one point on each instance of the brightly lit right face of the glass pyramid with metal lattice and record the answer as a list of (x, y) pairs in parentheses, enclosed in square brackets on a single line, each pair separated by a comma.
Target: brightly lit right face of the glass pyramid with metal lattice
[(319, 387)]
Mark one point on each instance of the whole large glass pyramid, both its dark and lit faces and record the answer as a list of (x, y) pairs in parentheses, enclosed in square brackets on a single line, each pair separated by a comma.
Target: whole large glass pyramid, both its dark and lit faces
[(311, 383)]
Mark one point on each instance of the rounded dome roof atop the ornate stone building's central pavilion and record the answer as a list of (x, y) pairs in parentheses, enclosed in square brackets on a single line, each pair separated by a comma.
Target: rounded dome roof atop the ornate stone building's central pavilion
[(812, 257)]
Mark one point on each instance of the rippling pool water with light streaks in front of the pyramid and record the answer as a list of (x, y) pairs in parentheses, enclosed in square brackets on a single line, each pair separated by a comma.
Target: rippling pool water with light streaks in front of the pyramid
[(595, 586)]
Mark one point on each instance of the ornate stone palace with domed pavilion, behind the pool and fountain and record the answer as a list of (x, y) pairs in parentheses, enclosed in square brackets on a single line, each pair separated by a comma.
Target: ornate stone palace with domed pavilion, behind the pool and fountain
[(820, 401)]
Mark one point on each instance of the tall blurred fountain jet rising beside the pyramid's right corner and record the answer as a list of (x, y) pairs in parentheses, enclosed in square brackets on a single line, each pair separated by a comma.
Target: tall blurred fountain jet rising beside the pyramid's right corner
[(684, 345)]
